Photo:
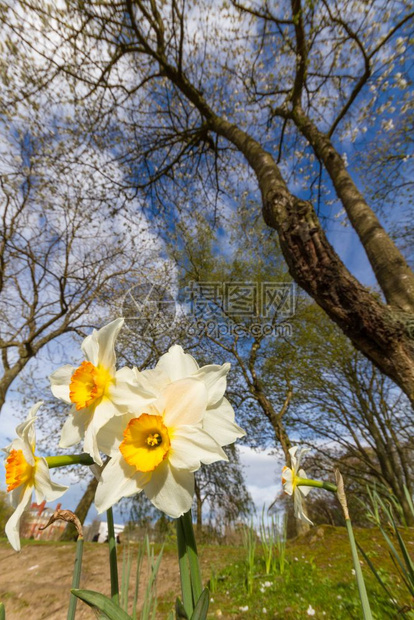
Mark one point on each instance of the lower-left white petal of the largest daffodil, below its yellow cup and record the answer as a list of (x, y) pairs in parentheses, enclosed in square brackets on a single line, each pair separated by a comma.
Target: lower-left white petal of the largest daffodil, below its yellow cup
[(118, 479)]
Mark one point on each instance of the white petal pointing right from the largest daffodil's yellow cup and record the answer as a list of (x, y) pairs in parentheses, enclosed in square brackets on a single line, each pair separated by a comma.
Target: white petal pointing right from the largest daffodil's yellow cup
[(191, 446)]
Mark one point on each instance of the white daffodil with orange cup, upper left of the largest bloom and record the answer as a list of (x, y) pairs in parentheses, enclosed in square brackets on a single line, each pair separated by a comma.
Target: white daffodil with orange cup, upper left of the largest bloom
[(91, 389)]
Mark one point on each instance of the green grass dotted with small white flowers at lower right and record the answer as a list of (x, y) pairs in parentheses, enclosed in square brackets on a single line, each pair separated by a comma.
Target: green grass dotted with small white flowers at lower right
[(318, 573)]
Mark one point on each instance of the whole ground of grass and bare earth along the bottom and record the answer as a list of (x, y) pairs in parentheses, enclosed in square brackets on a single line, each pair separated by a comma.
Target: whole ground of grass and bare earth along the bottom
[(317, 581)]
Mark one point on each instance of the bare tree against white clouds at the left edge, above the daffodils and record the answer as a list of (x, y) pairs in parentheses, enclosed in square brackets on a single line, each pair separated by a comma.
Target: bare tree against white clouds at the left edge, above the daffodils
[(60, 260)]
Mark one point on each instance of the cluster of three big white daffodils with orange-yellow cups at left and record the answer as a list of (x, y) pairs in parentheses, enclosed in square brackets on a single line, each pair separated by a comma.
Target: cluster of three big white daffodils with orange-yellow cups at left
[(157, 426)]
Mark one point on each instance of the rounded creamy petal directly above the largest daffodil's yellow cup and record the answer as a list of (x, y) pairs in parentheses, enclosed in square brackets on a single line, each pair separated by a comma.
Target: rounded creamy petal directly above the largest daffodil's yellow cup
[(184, 402)]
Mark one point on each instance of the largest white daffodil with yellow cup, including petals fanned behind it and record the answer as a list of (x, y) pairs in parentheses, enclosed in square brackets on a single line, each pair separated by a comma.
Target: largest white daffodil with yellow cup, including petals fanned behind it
[(166, 442)]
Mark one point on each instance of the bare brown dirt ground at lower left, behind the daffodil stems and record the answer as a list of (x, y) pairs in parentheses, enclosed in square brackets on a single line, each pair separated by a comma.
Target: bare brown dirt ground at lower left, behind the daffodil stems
[(35, 583)]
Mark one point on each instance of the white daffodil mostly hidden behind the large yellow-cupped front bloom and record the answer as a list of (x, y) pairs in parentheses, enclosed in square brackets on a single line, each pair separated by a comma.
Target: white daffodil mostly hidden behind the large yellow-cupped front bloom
[(218, 419)]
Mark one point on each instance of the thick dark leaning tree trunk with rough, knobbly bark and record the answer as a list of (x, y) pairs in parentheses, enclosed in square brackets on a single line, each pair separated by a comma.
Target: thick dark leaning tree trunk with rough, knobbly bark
[(379, 332)]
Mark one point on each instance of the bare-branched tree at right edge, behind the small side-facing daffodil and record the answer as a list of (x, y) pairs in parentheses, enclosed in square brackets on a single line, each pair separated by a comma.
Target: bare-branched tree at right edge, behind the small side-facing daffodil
[(351, 414)]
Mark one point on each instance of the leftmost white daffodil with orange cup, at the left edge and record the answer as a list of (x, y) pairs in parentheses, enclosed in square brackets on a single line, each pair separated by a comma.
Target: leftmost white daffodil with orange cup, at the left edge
[(25, 472)]
